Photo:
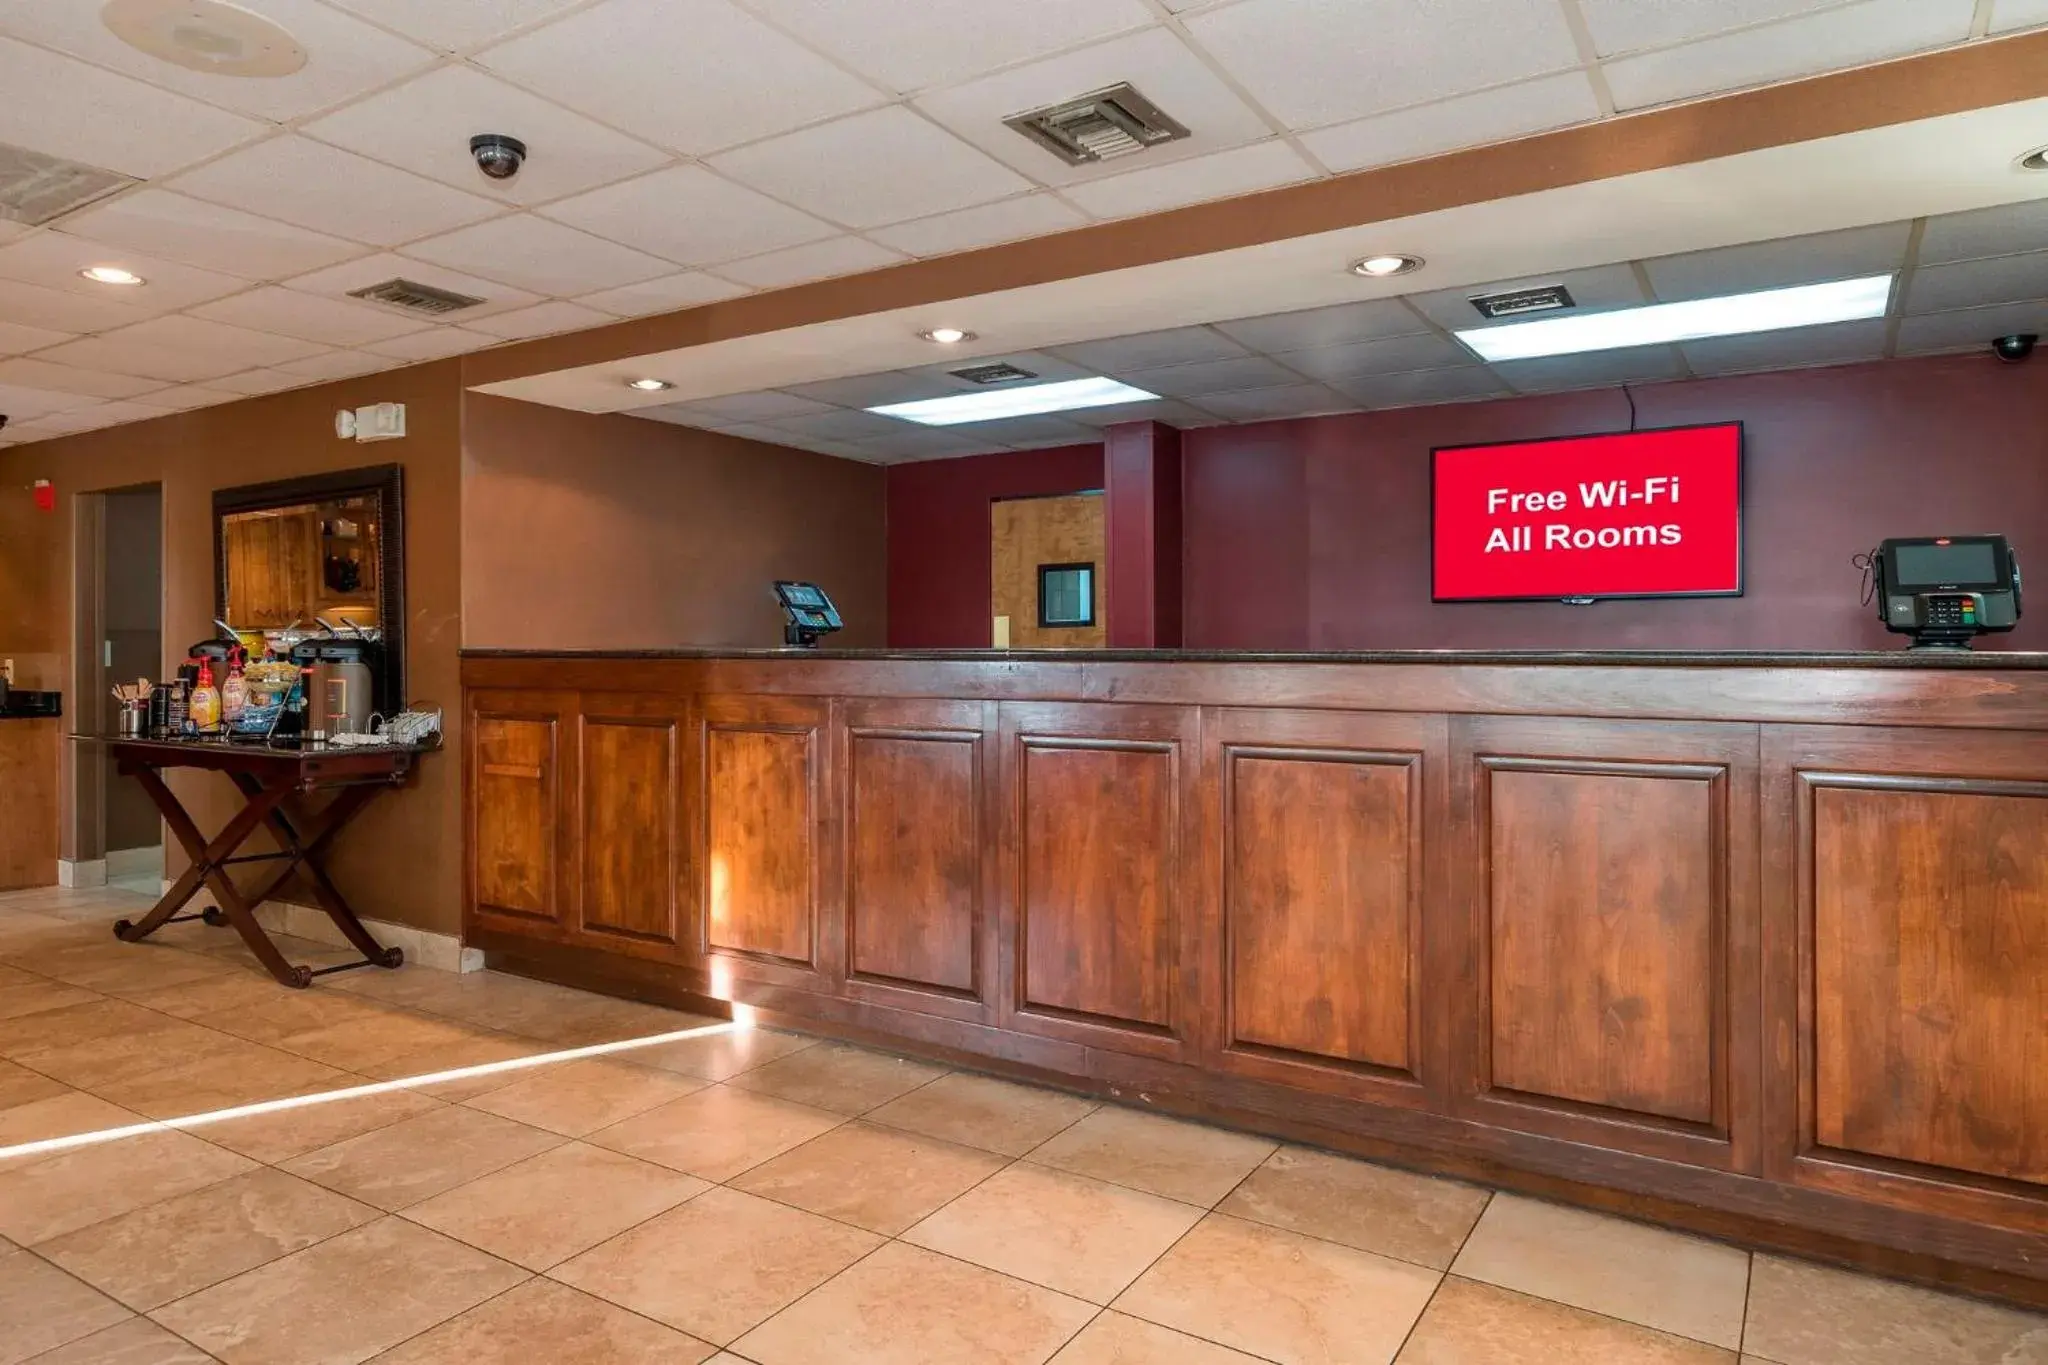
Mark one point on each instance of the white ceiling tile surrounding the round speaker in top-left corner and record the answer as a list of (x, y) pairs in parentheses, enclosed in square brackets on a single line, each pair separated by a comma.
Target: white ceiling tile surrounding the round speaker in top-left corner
[(347, 56)]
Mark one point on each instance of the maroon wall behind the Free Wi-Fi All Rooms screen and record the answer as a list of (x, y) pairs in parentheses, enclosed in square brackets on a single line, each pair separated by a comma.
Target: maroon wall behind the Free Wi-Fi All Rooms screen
[(1316, 533)]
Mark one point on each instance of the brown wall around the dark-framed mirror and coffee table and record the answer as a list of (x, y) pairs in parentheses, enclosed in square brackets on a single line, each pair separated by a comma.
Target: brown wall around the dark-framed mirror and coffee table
[(402, 861)]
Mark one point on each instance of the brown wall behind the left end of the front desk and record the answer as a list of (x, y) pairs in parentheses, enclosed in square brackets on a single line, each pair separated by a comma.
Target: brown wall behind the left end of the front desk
[(620, 533)]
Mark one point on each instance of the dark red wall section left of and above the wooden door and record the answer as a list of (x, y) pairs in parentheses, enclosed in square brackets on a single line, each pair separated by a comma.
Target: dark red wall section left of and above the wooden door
[(939, 537)]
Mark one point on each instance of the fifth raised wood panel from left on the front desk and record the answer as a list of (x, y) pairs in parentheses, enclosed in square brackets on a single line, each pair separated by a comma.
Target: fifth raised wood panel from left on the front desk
[(1095, 873)]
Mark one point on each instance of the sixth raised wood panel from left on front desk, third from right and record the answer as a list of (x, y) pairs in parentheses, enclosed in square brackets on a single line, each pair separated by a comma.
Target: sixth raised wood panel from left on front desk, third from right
[(1324, 877)]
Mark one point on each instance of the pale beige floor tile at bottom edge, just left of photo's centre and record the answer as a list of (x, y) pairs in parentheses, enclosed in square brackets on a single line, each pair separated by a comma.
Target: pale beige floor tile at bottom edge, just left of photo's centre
[(906, 1307)]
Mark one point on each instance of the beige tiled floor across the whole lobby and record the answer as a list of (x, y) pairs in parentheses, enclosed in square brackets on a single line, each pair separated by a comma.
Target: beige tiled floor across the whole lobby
[(763, 1198)]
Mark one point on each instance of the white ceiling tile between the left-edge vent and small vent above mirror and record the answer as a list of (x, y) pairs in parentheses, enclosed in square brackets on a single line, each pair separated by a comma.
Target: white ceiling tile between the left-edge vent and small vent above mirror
[(210, 236)]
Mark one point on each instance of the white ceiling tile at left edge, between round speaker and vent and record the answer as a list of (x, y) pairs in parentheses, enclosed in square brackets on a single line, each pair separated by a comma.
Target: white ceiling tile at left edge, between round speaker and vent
[(89, 116)]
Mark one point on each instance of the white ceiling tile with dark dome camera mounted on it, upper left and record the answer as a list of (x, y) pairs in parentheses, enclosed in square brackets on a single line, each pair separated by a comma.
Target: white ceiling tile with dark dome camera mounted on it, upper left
[(427, 124)]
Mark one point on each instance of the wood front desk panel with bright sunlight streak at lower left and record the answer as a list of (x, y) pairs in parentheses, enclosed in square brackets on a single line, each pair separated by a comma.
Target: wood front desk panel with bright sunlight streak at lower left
[(765, 777)]
